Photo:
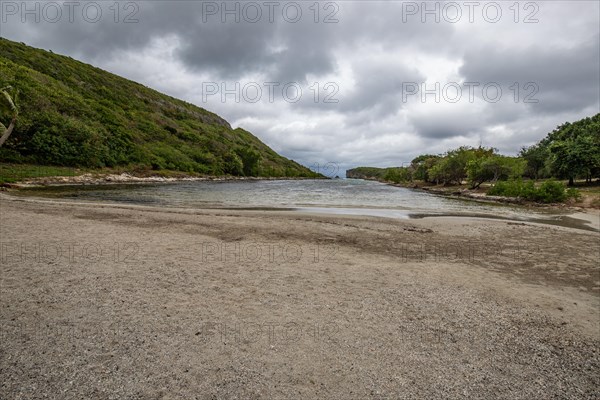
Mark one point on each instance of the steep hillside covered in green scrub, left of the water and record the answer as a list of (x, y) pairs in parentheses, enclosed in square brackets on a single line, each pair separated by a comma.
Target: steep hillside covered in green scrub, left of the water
[(75, 115)]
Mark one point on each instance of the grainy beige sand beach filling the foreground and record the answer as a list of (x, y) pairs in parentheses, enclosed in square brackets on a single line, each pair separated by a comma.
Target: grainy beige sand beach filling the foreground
[(107, 302)]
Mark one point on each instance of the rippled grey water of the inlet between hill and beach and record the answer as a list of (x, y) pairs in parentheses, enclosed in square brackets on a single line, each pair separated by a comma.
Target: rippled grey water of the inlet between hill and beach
[(340, 196)]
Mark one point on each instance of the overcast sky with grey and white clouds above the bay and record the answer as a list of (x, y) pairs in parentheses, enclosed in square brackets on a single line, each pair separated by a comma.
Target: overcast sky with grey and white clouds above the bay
[(369, 72)]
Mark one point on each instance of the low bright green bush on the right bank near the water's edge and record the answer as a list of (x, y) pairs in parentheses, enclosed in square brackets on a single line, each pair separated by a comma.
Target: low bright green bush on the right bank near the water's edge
[(549, 191)]
